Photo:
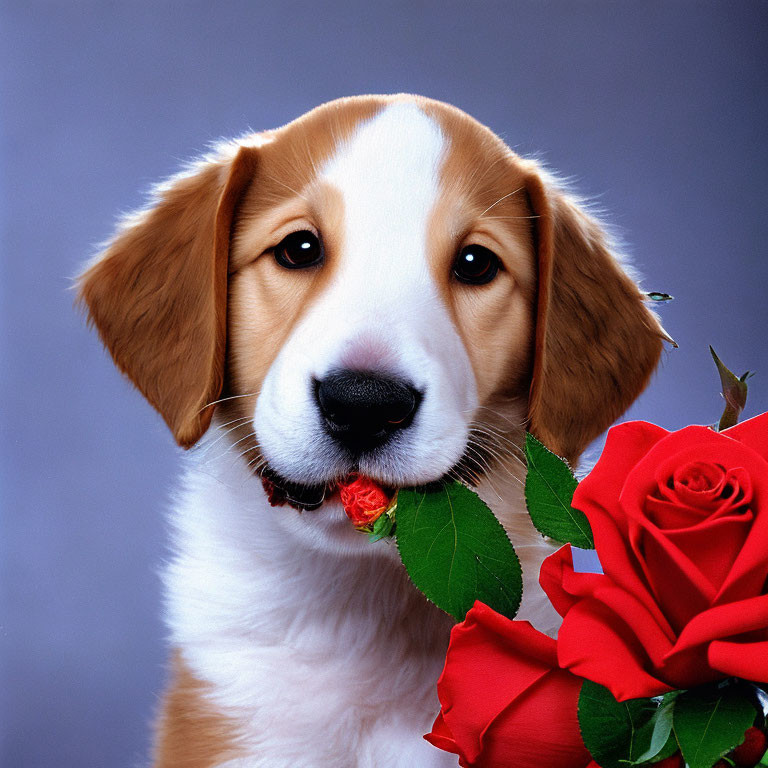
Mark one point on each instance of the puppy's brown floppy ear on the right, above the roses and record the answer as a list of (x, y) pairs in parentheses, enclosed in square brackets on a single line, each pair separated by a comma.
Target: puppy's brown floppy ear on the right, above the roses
[(597, 342)]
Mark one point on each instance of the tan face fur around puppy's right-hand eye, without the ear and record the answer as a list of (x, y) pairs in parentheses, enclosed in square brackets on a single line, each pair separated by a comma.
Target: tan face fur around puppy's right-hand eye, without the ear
[(483, 202)]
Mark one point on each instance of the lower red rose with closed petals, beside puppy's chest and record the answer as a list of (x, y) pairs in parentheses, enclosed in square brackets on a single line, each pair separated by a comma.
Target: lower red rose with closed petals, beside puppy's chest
[(505, 703)]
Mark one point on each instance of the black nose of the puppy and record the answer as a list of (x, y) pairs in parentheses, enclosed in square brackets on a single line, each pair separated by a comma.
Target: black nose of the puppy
[(362, 410)]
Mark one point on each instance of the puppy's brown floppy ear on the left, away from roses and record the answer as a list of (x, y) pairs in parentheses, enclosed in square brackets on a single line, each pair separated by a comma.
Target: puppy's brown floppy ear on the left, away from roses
[(158, 293)]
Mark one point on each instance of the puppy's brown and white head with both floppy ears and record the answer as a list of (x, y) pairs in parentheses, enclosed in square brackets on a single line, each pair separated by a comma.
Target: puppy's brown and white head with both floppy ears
[(381, 286)]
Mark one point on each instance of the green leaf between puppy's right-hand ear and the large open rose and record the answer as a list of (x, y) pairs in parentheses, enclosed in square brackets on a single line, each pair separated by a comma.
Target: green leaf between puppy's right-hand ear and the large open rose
[(549, 487)]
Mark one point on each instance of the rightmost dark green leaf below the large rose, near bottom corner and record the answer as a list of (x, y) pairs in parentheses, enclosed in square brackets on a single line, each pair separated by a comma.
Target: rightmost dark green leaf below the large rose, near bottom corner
[(708, 725)]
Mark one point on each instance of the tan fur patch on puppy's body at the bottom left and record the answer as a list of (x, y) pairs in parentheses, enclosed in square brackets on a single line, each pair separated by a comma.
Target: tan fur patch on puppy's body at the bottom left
[(190, 732)]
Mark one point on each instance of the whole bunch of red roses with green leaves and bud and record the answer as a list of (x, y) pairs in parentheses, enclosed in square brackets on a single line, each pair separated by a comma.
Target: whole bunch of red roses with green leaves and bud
[(662, 585)]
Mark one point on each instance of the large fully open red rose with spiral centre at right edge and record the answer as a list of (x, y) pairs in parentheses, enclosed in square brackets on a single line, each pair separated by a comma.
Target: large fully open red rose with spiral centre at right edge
[(681, 529)]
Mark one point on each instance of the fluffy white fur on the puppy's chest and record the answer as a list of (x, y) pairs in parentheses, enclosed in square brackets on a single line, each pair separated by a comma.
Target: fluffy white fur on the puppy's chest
[(314, 654)]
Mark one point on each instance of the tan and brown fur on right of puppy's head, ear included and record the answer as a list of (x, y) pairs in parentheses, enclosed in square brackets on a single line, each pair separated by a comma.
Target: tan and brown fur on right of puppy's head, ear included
[(596, 341)]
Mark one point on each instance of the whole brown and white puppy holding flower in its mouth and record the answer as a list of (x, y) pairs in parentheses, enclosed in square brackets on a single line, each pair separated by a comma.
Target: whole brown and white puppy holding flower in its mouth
[(379, 287)]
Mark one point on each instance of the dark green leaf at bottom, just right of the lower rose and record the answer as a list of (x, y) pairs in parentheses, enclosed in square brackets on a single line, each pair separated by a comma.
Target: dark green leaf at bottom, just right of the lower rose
[(614, 732)]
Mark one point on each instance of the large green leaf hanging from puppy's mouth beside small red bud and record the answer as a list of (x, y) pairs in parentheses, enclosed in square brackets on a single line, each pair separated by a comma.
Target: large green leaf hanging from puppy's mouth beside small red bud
[(456, 551)]
